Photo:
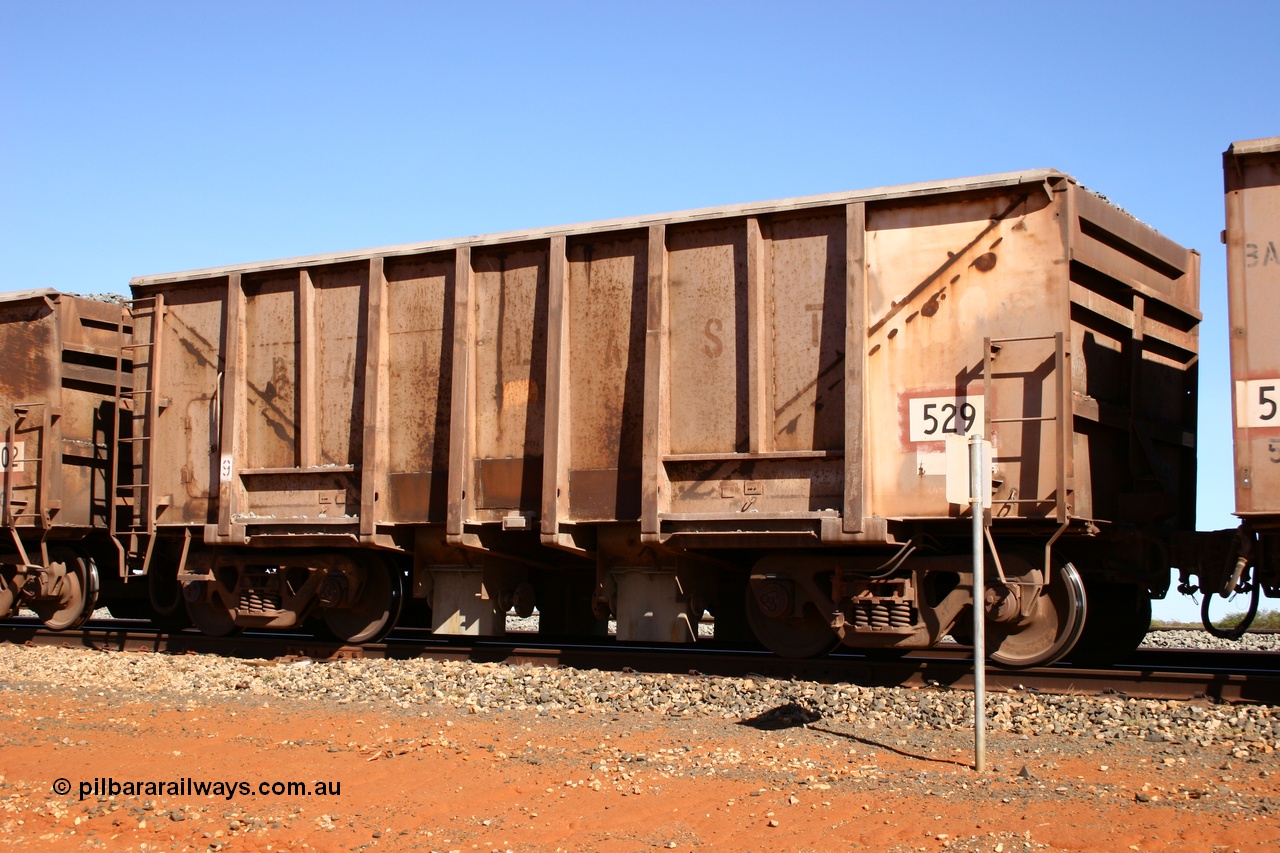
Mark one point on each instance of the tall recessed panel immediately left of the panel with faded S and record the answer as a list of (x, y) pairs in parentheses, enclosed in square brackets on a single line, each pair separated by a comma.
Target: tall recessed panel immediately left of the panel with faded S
[(607, 336)]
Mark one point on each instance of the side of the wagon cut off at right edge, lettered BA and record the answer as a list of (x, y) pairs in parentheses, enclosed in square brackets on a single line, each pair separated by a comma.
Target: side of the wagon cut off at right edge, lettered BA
[(1252, 185)]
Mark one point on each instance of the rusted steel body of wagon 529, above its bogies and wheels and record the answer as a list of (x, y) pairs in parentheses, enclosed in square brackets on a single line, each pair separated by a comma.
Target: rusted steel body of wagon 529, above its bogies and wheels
[(764, 368)]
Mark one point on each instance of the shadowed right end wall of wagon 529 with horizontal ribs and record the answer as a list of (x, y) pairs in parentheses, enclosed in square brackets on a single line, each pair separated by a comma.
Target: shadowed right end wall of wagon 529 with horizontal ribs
[(1135, 329)]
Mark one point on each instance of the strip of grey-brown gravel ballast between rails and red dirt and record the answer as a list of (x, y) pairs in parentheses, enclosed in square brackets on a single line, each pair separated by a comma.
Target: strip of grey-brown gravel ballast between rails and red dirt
[(495, 688)]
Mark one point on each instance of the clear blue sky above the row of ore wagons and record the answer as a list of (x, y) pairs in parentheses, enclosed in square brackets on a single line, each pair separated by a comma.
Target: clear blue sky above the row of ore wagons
[(148, 138)]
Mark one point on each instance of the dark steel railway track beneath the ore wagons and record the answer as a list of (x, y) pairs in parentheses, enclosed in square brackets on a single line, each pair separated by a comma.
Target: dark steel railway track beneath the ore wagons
[(1159, 674)]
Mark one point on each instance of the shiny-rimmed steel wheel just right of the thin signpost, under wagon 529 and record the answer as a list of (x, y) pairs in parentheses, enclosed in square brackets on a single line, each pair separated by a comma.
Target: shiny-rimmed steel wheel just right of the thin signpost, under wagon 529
[(1053, 626)]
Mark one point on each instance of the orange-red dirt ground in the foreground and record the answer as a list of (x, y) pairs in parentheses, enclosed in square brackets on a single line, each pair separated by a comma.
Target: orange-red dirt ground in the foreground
[(445, 781)]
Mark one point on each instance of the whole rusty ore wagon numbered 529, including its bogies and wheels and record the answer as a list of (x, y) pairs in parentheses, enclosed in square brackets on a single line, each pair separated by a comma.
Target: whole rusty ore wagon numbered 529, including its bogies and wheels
[(740, 410)]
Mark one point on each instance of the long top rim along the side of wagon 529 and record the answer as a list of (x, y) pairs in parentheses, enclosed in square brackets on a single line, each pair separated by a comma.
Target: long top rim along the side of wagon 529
[(762, 208)]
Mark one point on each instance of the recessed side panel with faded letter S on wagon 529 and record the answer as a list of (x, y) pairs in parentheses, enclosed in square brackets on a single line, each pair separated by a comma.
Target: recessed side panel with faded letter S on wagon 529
[(710, 382)]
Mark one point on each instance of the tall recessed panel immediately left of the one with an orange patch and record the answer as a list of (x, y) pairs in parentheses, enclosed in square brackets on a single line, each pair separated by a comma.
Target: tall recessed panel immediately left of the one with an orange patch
[(420, 343)]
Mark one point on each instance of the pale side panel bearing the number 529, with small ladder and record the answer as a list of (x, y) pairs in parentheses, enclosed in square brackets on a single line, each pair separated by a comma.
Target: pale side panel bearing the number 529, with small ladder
[(943, 275)]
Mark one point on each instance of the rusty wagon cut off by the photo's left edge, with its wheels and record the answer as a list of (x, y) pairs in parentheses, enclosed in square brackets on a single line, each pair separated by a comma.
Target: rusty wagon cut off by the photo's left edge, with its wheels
[(63, 376)]
